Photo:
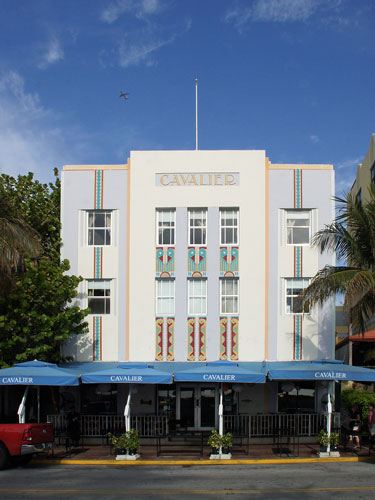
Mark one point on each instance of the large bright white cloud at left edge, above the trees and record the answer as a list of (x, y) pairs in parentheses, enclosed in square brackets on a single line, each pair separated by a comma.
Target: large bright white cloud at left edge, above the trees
[(31, 136)]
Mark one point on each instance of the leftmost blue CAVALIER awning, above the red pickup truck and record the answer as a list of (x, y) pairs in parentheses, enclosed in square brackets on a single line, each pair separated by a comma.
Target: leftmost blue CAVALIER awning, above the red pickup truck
[(37, 373)]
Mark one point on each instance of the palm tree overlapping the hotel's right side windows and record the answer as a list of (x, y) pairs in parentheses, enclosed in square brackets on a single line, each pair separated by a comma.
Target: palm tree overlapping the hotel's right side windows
[(352, 237)]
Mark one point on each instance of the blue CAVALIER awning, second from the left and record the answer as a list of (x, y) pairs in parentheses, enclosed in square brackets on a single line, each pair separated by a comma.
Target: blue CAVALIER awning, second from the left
[(128, 373)]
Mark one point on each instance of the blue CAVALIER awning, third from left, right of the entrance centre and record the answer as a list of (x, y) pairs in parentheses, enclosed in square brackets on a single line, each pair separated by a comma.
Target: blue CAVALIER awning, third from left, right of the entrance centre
[(222, 371)]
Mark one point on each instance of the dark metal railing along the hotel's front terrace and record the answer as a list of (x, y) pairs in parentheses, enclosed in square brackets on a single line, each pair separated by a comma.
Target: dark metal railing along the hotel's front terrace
[(264, 425)]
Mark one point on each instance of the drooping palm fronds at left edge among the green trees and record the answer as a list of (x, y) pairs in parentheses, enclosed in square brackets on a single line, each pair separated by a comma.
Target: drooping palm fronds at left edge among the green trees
[(17, 240)]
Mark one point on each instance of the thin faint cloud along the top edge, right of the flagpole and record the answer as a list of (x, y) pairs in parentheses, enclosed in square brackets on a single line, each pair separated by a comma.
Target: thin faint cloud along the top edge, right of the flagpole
[(277, 11)]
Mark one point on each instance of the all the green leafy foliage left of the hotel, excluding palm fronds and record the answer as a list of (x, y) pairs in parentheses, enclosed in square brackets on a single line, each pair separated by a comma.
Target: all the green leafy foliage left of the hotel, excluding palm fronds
[(36, 314)]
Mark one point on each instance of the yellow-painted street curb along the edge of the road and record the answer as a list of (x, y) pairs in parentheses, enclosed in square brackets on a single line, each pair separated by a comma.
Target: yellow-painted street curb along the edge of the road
[(266, 461)]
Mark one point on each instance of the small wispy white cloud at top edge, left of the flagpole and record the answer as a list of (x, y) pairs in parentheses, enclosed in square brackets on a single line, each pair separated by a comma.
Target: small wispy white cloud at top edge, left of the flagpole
[(138, 8)]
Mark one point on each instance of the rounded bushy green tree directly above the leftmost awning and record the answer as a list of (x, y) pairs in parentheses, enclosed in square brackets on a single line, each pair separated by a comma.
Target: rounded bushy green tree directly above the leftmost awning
[(37, 315)]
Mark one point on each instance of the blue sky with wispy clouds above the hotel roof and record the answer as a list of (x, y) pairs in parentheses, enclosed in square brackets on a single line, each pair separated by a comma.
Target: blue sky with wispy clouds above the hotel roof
[(293, 77)]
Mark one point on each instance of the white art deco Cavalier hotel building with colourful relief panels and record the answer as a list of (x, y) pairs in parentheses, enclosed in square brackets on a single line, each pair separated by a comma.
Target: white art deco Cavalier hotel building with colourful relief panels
[(194, 256)]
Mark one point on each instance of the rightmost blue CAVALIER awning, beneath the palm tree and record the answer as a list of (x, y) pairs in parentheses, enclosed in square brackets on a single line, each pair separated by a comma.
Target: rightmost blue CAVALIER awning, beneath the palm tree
[(318, 370)]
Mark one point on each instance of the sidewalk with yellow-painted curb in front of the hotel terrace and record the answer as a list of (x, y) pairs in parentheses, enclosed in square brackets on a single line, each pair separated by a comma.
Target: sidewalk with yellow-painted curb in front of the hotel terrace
[(258, 454)]
